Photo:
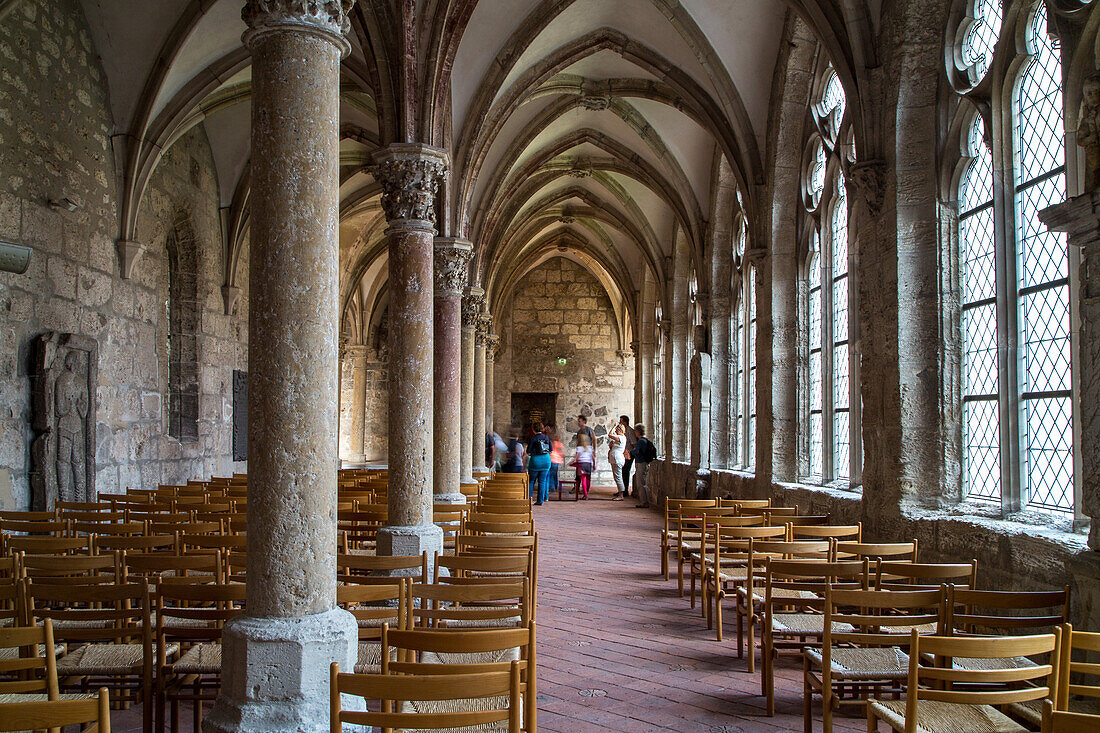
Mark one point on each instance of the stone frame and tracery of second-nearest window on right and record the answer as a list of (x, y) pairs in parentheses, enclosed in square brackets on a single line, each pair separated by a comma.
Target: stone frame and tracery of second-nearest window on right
[(827, 154)]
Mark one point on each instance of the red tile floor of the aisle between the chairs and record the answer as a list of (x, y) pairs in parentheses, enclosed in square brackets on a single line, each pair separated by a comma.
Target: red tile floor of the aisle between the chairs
[(619, 650)]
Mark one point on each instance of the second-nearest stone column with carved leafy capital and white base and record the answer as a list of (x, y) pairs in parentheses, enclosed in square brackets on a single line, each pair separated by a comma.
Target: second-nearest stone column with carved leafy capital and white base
[(410, 176)]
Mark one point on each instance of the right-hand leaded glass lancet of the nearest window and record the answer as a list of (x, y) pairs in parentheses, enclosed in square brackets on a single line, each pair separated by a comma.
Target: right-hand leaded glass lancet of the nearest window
[(1042, 264)]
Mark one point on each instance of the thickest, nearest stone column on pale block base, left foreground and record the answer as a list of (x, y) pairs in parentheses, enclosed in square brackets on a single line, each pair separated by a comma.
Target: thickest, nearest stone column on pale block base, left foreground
[(277, 658)]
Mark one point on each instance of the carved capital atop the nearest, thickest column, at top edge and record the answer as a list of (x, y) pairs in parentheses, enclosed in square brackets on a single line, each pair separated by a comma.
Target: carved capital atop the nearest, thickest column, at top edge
[(327, 19)]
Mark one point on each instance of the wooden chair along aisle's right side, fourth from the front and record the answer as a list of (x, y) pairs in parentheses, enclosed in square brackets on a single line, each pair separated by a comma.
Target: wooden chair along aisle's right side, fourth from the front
[(751, 595)]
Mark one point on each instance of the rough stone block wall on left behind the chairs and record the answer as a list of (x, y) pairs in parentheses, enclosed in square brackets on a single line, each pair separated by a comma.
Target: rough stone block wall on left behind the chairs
[(54, 144)]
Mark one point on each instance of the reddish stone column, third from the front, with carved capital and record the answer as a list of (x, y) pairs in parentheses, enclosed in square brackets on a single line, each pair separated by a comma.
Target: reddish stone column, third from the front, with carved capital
[(453, 262)]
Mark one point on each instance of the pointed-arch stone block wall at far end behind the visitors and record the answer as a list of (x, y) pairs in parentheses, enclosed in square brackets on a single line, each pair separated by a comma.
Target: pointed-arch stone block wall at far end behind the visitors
[(562, 311)]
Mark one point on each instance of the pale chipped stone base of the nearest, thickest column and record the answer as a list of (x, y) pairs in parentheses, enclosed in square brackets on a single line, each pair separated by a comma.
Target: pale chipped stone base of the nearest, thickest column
[(276, 674)]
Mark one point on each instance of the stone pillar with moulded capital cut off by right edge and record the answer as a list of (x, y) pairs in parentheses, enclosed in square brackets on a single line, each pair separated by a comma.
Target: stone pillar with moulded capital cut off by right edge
[(1081, 218)]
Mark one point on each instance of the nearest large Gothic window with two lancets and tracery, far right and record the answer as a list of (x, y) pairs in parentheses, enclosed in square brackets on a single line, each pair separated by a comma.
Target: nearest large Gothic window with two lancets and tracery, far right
[(1018, 414)]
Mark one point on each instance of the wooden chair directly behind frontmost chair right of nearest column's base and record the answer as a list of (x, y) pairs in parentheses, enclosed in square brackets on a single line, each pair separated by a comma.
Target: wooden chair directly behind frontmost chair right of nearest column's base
[(431, 652)]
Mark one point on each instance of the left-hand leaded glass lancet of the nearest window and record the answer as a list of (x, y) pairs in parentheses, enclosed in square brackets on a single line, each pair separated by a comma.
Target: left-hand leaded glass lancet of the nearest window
[(982, 442)]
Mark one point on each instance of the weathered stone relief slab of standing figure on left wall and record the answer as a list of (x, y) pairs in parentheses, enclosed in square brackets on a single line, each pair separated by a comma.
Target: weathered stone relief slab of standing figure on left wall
[(64, 379)]
